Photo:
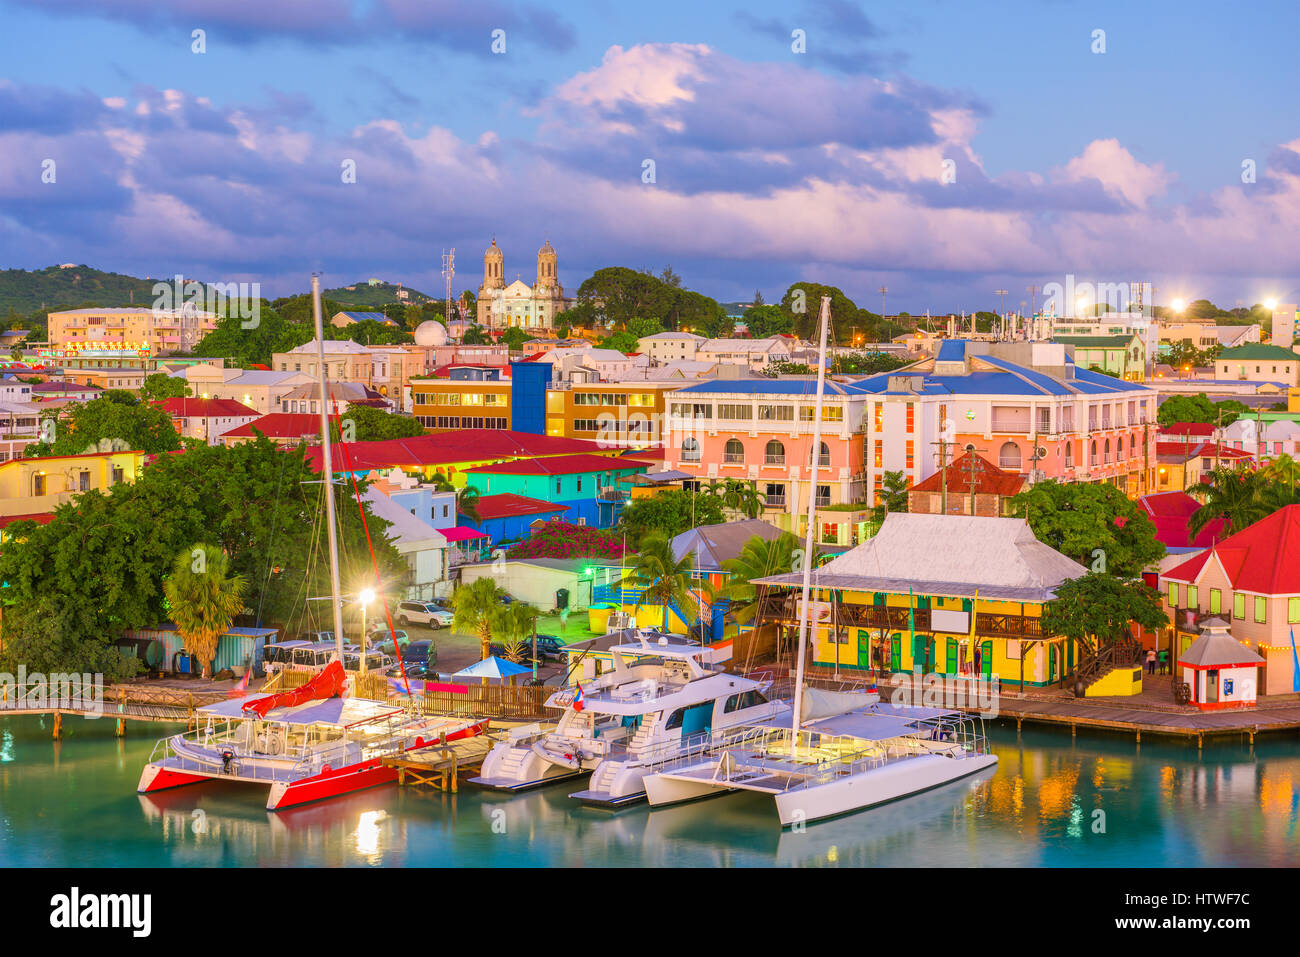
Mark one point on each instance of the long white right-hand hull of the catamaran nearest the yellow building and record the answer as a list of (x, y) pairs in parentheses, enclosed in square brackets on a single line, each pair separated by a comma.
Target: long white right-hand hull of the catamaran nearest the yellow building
[(879, 786)]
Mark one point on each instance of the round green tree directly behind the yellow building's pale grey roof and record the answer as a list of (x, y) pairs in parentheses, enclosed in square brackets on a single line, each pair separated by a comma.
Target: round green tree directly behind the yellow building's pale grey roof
[(1097, 526)]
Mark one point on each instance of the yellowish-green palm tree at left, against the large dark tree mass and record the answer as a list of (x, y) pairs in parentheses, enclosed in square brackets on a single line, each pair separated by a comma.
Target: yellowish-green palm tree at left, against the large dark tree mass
[(203, 599)]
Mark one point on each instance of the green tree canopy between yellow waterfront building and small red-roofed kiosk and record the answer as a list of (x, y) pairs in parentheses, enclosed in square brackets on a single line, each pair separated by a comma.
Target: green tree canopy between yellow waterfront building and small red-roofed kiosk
[(1099, 609)]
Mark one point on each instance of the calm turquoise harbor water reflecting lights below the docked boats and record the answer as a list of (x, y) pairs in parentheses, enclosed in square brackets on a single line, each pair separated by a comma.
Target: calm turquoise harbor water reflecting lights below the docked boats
[(1051, 802)]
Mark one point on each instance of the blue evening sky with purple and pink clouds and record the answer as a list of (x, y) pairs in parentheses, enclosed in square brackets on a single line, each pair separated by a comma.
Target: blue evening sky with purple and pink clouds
[(942, 149)]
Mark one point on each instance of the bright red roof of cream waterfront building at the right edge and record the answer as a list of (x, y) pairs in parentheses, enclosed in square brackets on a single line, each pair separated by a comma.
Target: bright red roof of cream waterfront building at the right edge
[(1263, 558)]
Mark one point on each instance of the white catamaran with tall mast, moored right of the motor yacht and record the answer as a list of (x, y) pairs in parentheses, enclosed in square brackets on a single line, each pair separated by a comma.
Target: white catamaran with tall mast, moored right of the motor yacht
[(833, 756)]
